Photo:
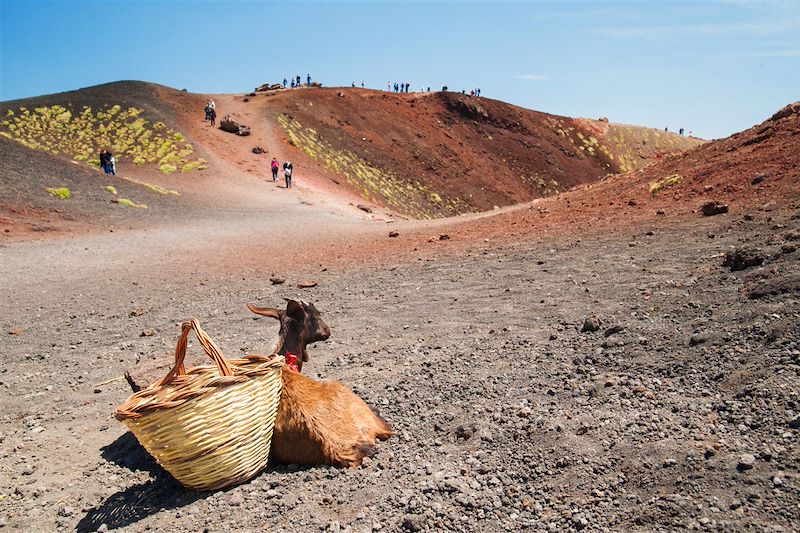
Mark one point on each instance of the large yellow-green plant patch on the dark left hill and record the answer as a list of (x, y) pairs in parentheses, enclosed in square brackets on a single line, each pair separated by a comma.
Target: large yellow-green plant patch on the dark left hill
[(83, 133)]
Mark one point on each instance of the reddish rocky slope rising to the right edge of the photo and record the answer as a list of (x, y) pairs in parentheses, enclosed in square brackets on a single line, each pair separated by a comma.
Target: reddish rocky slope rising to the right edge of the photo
[(754, 170)]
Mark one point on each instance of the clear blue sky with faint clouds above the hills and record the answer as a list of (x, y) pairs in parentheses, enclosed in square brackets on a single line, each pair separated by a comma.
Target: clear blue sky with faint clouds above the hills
[(710, 67)]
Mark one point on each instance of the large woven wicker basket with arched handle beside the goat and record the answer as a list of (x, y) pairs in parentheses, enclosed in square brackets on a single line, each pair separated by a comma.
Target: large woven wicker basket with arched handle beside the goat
[(209, 427)]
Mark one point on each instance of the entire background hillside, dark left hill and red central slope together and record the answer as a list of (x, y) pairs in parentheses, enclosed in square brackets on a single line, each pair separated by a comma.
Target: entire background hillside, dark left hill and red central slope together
[(422, 155)]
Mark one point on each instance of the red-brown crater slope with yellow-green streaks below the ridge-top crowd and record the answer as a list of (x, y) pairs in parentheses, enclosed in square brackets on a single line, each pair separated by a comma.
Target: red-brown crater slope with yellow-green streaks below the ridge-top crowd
[(444, 153)]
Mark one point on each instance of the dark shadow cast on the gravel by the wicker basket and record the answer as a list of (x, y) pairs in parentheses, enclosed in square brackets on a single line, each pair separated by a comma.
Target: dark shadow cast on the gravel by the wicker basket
[(128, 506)]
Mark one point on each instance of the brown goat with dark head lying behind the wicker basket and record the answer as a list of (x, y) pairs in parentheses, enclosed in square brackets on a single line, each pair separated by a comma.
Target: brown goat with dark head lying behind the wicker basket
[(318, 422)]
